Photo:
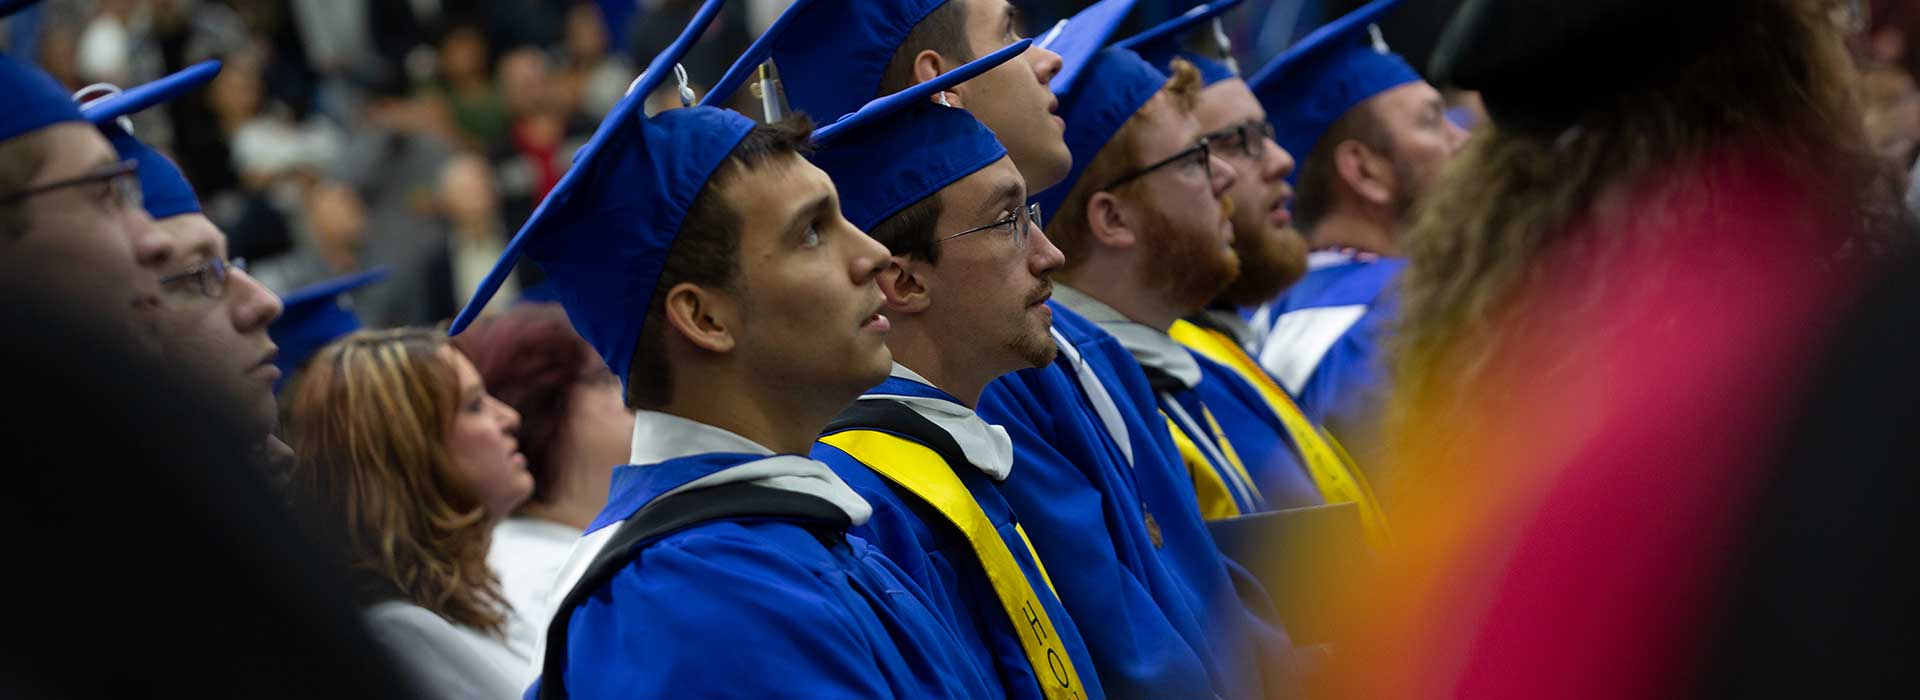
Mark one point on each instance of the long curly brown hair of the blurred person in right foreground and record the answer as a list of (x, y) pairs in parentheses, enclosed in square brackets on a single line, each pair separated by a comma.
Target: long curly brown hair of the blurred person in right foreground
[(1777, 85)]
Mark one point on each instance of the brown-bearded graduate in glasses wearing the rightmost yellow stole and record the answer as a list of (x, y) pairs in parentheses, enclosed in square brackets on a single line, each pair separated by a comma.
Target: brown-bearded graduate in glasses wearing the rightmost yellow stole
[(1291, 461)]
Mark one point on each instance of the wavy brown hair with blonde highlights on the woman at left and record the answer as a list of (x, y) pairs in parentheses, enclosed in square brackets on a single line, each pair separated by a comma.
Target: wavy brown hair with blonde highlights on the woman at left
[(370, 423)]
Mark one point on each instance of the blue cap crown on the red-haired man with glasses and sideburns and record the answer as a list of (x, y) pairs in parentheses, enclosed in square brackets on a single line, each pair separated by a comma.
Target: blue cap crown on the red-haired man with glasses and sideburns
[(1118, 85)]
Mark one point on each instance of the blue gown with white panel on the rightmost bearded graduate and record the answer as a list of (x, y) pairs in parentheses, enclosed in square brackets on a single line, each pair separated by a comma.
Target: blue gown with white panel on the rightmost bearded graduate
[(1326, 337)]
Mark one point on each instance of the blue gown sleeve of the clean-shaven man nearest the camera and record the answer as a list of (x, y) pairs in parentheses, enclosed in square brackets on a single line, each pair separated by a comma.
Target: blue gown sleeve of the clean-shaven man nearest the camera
[(723, 618)]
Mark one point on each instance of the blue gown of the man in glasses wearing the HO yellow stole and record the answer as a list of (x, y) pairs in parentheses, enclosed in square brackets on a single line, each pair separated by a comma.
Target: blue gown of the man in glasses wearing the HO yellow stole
[(942, 561)]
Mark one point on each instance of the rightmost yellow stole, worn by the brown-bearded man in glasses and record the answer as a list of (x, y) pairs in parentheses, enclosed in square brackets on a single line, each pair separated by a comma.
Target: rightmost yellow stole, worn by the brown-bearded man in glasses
[(1328, 463)]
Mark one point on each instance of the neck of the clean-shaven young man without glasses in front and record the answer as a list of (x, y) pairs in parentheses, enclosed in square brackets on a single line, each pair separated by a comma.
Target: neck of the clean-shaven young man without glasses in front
[(782, 419)]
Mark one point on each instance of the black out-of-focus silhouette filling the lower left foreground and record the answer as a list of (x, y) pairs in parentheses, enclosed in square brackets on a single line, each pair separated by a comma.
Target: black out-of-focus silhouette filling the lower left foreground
[(118, 438)]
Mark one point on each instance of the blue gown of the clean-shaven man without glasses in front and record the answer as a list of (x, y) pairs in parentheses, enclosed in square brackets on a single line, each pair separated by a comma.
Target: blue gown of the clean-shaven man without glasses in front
[(756, 609)]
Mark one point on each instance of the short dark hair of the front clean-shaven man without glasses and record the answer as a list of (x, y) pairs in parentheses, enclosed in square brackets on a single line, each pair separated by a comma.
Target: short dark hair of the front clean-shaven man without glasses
[(706, 252)]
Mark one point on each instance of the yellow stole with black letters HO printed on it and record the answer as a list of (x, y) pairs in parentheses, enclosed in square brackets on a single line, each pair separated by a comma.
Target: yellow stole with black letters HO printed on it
[(928, 477)]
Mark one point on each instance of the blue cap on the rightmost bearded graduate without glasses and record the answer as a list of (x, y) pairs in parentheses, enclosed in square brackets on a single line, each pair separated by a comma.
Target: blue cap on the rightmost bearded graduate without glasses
[(1328, 74)]
